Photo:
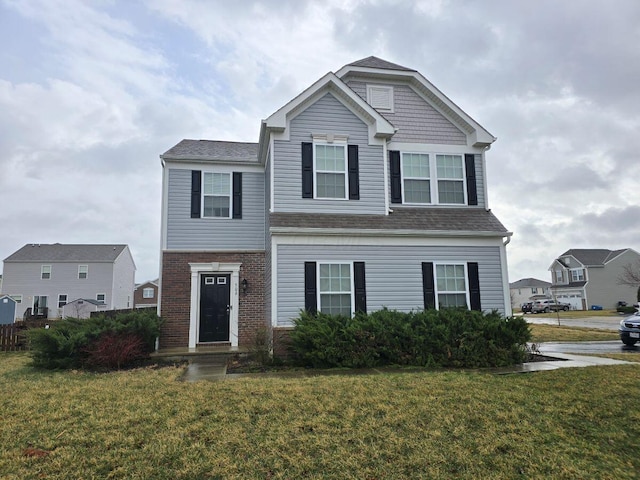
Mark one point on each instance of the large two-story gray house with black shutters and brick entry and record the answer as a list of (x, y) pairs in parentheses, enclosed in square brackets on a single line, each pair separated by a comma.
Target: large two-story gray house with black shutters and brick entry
[(367, 190)]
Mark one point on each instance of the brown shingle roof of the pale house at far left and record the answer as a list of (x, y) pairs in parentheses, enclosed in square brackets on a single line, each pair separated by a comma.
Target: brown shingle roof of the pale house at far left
[(59, 253)]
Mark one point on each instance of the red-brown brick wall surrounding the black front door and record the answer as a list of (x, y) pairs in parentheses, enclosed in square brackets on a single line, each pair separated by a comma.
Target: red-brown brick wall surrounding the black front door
[(176, 294)]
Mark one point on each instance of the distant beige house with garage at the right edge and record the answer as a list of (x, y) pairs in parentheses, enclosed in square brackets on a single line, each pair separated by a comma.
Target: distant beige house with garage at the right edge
[(588, 277)]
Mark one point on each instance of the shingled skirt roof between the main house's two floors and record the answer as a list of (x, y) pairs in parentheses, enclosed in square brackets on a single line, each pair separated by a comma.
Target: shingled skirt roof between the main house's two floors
[(426, 219)]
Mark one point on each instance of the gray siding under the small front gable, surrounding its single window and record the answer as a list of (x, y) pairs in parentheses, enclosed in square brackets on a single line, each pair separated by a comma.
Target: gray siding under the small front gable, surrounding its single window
[(327, 115)]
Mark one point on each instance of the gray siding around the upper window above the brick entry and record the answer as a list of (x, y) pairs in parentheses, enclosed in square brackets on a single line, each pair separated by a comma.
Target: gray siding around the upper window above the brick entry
[(184, 232)]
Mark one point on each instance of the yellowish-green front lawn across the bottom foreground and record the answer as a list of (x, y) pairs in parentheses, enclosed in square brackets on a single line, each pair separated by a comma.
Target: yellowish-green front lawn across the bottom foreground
[(566, 423)]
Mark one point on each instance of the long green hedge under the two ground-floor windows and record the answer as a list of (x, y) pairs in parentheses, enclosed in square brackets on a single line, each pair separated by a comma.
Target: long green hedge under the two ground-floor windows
[(447, 338)]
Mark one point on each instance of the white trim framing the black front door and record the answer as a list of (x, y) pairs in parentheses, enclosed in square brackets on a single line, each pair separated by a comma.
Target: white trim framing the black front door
[(197, 269)]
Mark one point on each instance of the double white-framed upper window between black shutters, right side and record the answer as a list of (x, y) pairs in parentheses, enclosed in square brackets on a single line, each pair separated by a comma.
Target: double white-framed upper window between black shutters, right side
[(418, 180)]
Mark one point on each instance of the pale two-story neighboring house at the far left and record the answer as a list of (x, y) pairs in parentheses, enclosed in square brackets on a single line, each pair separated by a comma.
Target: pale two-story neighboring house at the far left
[(43, 278)]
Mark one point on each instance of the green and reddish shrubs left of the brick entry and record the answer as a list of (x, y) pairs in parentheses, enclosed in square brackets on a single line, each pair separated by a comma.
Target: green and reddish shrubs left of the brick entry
[(74, 343)]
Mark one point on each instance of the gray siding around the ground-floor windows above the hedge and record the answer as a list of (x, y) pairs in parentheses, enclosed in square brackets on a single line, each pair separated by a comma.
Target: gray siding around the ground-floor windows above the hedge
[(393, 274)]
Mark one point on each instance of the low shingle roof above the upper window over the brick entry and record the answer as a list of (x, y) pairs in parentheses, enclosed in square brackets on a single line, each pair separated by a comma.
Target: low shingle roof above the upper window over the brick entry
[(213, 150)]
